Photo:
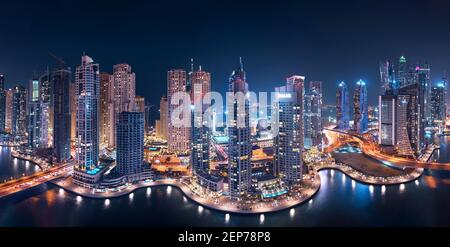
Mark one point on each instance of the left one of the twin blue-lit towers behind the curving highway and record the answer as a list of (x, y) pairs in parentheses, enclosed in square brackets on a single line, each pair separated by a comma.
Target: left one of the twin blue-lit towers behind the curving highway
[(342, 107)]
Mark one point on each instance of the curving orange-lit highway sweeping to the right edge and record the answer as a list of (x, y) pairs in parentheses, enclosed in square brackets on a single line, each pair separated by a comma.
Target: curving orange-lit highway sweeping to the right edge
[(338, 138)]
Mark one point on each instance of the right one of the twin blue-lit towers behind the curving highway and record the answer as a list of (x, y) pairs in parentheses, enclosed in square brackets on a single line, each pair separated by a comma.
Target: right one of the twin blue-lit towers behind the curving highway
[(360, 117)]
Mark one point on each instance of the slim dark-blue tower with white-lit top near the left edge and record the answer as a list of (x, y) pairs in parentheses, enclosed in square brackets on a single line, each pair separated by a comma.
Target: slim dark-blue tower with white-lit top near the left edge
[(34, 114)]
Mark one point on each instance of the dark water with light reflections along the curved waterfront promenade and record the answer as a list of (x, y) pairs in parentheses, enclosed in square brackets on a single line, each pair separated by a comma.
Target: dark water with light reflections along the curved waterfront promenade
[(351, 199)]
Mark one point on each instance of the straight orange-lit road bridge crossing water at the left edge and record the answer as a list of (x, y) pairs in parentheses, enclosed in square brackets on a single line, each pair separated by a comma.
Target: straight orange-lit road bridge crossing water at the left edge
[(27, 182)]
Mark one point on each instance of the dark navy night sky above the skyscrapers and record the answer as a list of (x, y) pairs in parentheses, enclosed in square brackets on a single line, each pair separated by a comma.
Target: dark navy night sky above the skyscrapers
[(322, 40)]
